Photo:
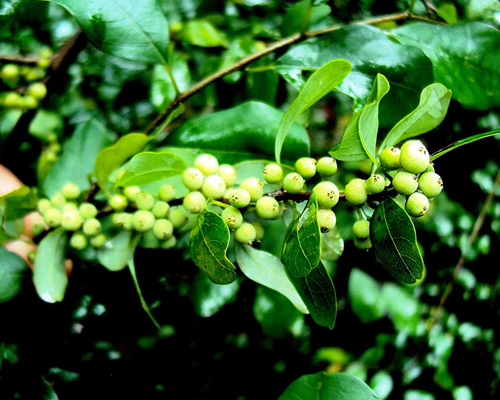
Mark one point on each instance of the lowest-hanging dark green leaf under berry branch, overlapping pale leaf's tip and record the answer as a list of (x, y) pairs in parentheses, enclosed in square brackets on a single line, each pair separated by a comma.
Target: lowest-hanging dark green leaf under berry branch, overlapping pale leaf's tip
[(318, 293)]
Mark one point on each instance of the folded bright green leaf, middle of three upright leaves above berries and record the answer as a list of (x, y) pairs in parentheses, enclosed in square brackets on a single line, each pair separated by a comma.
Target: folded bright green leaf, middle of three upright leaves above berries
[(360, 137)]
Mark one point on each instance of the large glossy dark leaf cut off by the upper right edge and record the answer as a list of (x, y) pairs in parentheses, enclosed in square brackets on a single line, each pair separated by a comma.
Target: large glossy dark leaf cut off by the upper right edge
[(465, 59)]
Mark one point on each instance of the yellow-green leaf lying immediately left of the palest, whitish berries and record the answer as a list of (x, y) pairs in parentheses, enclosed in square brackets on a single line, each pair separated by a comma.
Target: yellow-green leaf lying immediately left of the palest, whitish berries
[(150, 167)]
